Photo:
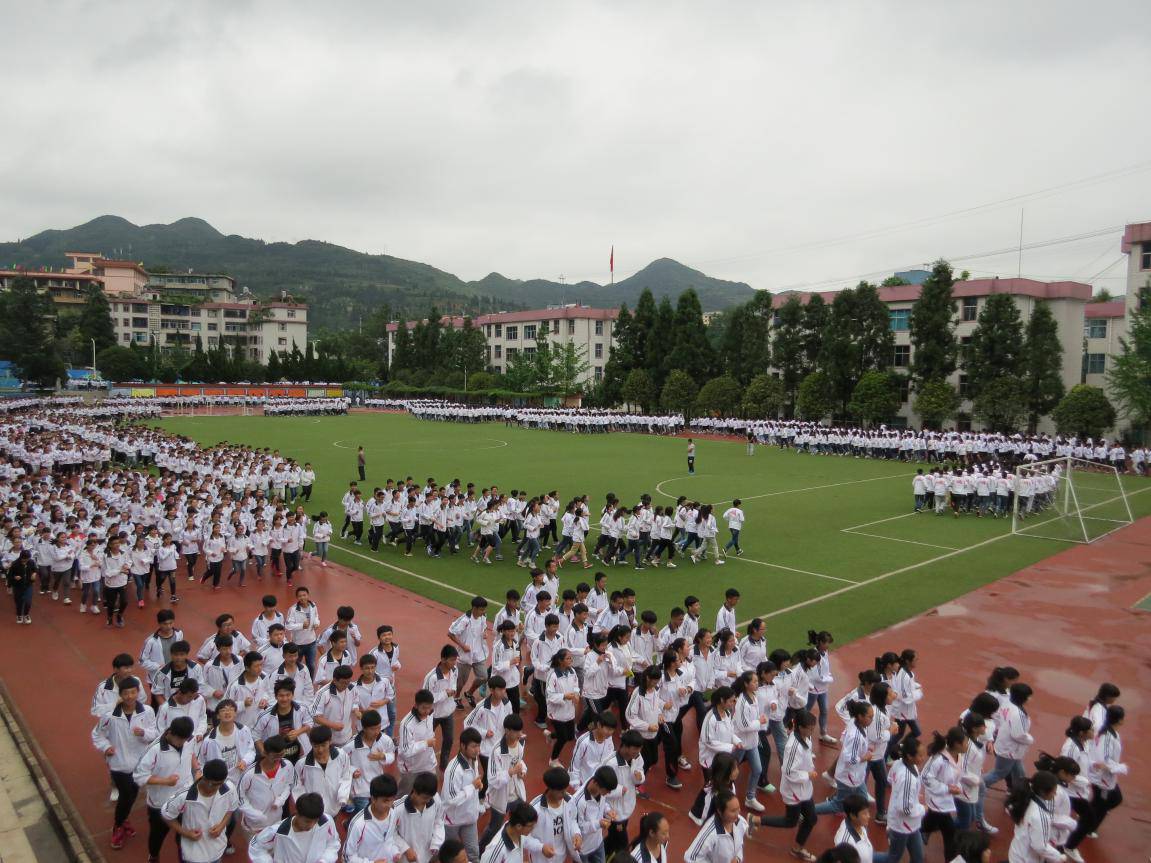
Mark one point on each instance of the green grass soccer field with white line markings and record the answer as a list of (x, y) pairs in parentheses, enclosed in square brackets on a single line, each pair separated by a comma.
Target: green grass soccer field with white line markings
[(803, 569)]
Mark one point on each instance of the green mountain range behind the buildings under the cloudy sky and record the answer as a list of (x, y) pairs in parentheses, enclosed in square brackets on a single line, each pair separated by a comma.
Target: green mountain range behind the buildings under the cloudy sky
[(345, 286)]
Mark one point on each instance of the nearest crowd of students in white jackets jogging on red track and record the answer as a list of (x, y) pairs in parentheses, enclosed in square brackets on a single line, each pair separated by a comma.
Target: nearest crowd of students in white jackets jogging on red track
[(296, 735)]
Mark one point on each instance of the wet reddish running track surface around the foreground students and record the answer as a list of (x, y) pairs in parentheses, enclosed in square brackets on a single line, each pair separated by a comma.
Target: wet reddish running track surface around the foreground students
[(1069, 623)]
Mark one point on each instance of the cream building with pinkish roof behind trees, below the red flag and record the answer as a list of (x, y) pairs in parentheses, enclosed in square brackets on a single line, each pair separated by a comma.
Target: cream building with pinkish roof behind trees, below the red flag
[(509, 334)]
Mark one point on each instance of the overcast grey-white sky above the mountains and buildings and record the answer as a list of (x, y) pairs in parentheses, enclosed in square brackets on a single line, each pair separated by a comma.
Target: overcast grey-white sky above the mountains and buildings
[(780, 144)]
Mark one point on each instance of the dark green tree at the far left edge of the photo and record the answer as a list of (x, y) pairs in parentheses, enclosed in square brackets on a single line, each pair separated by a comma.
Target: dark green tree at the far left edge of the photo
[(28, 333)]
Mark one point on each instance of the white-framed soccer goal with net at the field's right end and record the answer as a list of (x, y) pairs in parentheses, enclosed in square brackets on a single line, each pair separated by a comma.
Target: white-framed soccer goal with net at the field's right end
[(1069, 499)]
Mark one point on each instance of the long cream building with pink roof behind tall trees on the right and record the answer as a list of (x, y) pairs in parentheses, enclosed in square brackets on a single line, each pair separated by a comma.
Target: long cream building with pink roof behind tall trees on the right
[(1068, 302)]
